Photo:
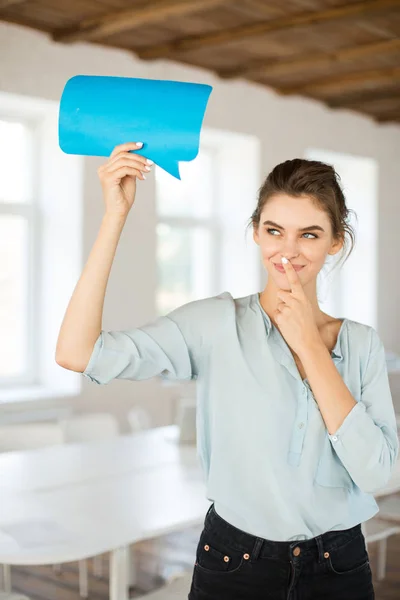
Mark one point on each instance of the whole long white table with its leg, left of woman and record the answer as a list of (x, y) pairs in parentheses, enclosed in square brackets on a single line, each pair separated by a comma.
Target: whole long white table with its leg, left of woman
[(52, 512)]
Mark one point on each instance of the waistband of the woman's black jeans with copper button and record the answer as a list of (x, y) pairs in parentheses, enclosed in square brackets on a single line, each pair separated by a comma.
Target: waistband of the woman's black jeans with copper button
[(259, 547)]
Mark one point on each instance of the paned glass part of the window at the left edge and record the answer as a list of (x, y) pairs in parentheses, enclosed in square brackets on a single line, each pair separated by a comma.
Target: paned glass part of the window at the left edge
[(18, 235)]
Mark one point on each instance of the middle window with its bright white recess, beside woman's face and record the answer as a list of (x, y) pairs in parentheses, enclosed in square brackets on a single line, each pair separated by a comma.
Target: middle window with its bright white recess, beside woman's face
[(201, 230)]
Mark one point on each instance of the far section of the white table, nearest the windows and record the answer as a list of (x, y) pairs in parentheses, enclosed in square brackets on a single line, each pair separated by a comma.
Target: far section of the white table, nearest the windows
[(61, 466)]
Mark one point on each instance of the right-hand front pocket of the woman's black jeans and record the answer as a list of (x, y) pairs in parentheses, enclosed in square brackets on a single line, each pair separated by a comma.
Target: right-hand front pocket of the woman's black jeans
[(350, 558)]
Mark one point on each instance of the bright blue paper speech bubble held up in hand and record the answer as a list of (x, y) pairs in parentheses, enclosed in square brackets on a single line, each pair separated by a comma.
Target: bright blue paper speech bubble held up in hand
[(97, 113)]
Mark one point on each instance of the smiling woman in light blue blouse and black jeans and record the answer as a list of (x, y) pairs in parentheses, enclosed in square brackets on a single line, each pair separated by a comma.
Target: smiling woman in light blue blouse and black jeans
[(296, 426)]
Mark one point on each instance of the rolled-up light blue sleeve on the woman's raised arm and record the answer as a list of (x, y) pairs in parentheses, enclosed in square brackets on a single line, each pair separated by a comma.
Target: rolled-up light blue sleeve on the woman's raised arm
[(172, 346)]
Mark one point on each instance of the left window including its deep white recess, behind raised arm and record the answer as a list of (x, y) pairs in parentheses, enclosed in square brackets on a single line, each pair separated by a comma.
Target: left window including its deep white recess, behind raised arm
[(41, 206)]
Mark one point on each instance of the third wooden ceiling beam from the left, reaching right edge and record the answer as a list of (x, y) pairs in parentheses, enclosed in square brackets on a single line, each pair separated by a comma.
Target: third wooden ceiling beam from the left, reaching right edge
[(309, 61)]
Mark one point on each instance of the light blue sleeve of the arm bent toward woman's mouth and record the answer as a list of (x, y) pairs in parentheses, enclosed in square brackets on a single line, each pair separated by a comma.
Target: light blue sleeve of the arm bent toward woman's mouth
[(367, 441)]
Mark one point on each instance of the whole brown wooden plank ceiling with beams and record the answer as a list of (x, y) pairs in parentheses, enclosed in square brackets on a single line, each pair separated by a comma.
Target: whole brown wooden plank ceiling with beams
[(345, 54)]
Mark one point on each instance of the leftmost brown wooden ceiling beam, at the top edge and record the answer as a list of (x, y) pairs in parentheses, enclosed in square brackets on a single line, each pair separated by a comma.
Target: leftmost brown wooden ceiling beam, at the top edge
[(123, 20)]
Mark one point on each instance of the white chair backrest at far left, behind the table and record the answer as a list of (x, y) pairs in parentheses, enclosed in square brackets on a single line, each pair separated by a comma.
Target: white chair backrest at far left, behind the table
[(29, 436)]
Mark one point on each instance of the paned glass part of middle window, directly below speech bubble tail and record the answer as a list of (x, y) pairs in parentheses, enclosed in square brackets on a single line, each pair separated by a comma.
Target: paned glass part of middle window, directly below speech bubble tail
[(187, 232)]
